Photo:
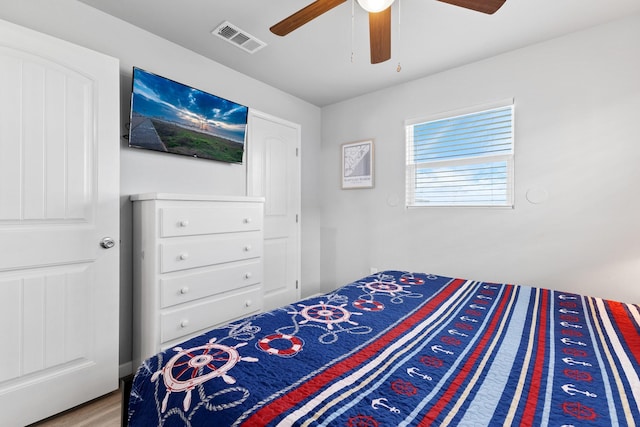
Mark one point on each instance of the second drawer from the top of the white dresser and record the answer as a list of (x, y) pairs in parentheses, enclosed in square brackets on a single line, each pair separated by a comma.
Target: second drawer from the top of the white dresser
[(185, 253)]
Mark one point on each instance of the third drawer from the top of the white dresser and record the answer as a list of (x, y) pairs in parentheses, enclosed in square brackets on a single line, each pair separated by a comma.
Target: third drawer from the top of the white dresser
[(188, 286)]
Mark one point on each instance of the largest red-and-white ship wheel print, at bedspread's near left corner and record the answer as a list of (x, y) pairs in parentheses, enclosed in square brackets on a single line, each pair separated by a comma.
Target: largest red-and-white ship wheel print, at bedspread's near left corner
[(192, 367)]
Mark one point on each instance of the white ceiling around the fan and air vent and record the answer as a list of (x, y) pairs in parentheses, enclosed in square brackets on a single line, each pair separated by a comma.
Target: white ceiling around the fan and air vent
[(327, 60)]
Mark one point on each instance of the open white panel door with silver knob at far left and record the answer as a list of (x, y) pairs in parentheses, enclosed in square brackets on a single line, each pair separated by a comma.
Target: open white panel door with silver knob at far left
[(59, 196)]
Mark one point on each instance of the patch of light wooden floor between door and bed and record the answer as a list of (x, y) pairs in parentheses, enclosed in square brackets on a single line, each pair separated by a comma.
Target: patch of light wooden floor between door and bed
[(102, 412)]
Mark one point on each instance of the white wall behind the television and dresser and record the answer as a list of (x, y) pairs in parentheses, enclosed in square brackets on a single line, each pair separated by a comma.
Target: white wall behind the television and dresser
[(146, 171)]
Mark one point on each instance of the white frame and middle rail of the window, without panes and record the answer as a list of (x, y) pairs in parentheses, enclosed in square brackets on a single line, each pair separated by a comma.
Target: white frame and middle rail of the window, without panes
[(411, 167)]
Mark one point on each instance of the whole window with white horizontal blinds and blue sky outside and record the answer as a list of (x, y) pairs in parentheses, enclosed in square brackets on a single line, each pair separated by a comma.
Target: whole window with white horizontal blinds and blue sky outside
[(463, 159)]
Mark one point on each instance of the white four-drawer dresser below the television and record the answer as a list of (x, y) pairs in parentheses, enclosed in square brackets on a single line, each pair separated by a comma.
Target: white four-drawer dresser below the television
[(197, 265)]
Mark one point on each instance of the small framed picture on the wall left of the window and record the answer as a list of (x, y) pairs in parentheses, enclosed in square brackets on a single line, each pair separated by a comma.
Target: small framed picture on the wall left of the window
[(357, 164)]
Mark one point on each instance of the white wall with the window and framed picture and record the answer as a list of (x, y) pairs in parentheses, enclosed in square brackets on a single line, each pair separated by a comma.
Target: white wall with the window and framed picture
[(577, 138)]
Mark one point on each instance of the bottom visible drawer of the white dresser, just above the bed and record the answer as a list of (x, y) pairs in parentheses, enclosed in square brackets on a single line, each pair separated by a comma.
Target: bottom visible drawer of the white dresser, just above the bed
[(195, 317)]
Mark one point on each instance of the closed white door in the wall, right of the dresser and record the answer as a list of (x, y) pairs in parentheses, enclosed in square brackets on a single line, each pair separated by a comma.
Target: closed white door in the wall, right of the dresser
[(273, 172)]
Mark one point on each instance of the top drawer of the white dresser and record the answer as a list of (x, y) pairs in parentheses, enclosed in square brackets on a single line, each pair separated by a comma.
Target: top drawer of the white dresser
[(193, 220)]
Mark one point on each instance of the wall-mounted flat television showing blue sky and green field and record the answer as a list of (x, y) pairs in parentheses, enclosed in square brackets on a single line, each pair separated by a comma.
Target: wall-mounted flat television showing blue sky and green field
[(171, 117)]
